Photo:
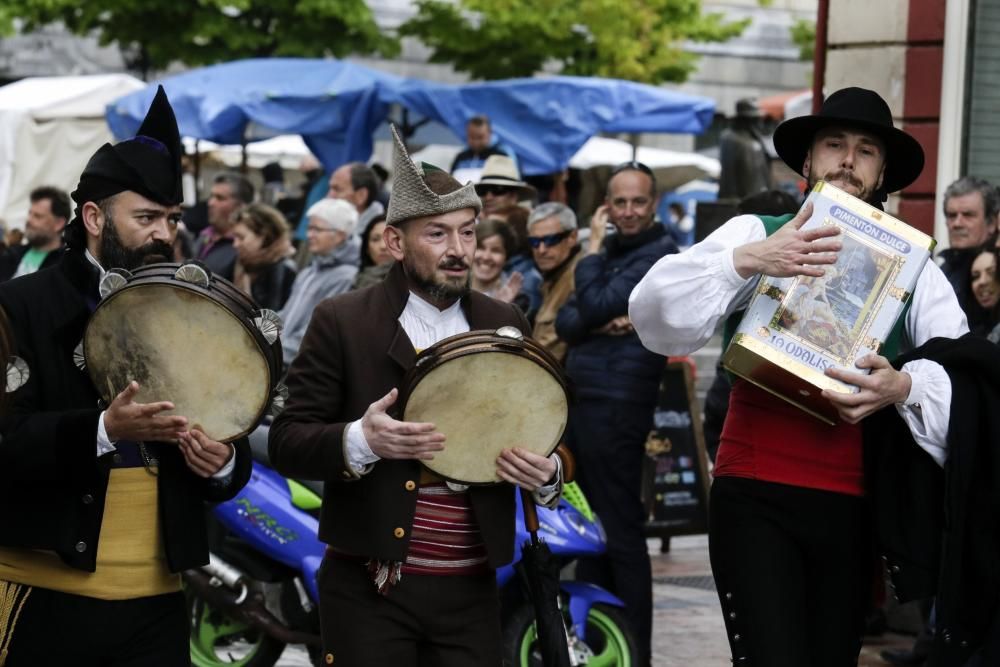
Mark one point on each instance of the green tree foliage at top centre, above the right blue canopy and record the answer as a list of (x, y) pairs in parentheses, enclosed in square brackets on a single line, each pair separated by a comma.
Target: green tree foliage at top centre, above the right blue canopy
[(640, 40)]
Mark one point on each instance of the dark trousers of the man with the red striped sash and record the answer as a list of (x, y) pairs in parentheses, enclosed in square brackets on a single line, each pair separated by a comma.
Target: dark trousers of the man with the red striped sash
[(425, 621)]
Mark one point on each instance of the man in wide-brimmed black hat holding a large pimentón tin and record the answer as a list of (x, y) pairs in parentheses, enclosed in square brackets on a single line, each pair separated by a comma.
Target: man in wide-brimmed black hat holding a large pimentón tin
[(789, 529)]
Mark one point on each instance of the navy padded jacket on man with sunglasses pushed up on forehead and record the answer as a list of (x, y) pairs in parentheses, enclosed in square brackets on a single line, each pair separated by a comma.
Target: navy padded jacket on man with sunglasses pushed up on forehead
[(603, 366)]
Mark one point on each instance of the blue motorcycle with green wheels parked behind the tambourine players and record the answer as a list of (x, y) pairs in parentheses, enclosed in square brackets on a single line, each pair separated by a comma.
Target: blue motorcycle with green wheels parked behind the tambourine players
[(258, 593)]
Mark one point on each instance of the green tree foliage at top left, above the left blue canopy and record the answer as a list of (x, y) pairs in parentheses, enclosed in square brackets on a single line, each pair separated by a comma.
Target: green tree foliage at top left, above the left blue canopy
[(154, 33)]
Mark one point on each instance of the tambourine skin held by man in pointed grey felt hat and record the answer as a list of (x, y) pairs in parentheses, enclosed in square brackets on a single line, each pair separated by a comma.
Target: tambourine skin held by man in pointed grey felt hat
[(487, 400)]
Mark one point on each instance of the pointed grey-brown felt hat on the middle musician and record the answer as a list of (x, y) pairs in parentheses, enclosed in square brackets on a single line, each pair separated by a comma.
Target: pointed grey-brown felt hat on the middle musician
[(413, 198)]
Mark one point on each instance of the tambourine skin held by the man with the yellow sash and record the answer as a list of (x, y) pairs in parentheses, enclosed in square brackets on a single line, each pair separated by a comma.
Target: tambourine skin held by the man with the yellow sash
[(184, 347)]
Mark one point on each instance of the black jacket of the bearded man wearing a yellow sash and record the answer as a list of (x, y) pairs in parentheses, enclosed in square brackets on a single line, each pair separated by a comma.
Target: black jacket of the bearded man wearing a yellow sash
[(52, 484)]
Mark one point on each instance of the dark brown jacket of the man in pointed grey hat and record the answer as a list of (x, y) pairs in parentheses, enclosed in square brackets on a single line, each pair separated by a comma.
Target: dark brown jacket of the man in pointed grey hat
[(353, 353)]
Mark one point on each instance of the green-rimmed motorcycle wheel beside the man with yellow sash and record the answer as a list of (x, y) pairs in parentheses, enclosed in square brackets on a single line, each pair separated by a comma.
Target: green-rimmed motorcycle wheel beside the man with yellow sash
[(217, 639)]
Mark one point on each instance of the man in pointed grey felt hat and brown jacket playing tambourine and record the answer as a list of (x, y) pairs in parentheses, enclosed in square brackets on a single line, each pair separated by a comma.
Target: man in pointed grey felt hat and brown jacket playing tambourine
[(409, 574)]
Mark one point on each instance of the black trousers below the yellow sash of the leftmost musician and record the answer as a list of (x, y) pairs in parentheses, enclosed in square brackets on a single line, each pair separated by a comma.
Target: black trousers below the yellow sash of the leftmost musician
[(61, 629)]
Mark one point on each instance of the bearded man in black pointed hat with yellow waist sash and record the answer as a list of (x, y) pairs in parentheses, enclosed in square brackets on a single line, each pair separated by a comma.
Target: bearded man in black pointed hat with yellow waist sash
[(101, 505)]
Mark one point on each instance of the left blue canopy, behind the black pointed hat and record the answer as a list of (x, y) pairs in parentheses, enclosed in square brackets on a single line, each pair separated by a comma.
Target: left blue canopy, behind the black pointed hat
[(336, 106)]
